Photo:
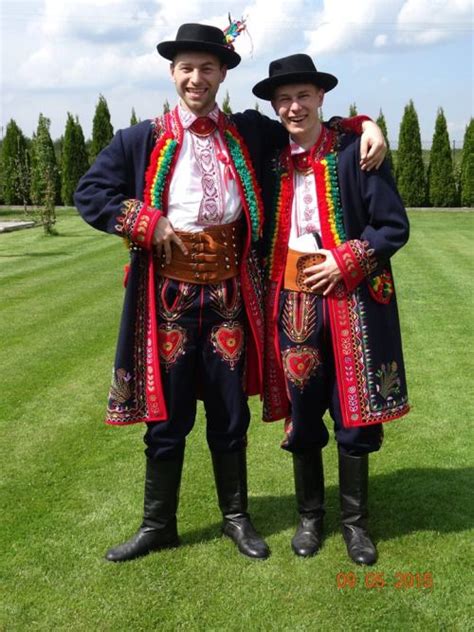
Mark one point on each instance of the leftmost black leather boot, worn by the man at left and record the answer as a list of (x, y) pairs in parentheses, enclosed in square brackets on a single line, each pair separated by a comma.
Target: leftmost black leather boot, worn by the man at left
[(158, 529)]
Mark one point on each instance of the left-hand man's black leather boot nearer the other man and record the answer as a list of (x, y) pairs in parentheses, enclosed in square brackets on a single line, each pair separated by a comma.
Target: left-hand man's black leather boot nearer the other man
[(230, 472)]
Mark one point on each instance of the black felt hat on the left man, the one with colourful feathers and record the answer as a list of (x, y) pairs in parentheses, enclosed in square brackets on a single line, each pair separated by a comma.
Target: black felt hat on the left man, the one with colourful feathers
[(202, 38)]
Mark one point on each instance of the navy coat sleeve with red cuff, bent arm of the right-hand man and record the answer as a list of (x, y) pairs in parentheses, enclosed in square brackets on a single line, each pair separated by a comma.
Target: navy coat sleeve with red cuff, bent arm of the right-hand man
[(375, 218)]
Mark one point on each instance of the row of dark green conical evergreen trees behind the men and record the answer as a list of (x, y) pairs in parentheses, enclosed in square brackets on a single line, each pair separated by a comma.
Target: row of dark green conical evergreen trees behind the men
[(33, 172)]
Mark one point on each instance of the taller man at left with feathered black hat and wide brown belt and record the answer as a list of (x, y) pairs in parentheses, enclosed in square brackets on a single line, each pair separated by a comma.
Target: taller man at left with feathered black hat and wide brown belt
[(183, 191)]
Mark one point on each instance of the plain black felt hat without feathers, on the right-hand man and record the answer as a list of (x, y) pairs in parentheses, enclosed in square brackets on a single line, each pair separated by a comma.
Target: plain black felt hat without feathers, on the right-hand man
[(292, 69)]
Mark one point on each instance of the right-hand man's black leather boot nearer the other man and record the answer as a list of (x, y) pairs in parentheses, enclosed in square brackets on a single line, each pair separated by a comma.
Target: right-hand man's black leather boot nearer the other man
[(309, 489)]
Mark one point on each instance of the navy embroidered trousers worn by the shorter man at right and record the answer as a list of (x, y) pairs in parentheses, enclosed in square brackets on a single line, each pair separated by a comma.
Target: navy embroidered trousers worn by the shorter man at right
[(308, 362)]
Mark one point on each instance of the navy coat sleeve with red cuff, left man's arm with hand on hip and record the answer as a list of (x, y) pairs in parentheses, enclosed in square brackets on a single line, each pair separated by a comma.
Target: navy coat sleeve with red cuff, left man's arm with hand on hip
[(110, 195)]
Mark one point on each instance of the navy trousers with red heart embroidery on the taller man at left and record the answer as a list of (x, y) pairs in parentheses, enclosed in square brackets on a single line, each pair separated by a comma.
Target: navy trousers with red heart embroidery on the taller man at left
[(202, 330)]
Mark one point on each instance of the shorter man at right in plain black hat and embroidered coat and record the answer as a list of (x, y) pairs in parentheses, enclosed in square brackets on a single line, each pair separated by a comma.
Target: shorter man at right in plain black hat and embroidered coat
[(332, 330)]
